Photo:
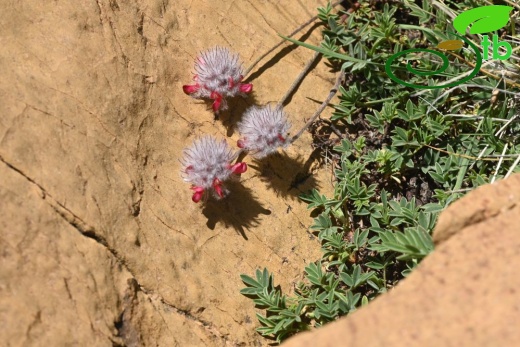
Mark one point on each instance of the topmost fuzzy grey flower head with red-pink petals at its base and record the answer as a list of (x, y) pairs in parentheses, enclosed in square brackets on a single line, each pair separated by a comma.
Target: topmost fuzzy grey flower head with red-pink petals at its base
[(218, 75)]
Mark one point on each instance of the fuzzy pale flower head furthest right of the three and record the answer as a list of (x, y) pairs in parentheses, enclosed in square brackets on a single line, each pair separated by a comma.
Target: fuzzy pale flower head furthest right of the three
[(263, 130)]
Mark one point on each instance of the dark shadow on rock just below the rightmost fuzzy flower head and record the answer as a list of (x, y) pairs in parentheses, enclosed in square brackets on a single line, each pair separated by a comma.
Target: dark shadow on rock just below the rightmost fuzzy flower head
[(286, 176)]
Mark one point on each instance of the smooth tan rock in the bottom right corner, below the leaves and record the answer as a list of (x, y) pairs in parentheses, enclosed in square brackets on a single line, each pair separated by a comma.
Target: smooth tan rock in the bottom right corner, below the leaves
[(464, 294)]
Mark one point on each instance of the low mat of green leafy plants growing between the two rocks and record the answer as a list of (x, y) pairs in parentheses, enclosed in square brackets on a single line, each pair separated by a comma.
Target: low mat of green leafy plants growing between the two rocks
[(400, 156)]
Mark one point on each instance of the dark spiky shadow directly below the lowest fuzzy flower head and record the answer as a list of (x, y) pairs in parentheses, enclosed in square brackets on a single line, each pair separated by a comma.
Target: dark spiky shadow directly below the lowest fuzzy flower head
[(239, 209)]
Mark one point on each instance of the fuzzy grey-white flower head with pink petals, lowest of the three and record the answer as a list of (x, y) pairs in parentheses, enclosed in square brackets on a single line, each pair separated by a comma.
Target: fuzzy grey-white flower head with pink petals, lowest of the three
[(207, 165)]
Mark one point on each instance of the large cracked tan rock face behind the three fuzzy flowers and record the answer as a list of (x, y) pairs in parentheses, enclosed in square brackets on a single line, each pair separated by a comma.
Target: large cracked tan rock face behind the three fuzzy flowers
[(100, 242)]
